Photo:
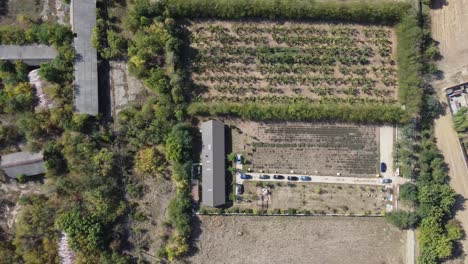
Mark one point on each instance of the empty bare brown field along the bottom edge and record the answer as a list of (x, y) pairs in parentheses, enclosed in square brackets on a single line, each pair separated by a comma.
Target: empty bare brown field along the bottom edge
[(279, 240)]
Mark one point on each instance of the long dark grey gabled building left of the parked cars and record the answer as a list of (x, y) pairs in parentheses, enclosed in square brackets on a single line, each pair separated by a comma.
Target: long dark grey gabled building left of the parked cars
[(213, 164)]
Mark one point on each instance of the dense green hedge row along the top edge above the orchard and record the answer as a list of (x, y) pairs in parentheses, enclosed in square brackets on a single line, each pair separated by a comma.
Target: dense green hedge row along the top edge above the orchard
[(373, 12)]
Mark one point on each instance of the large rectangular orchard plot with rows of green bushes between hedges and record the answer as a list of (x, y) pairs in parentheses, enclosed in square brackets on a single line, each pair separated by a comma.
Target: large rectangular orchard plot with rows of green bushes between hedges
[(276, 62)]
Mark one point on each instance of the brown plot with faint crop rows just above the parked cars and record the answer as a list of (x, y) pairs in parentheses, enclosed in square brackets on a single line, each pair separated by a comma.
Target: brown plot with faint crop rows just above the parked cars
[(315, 148)]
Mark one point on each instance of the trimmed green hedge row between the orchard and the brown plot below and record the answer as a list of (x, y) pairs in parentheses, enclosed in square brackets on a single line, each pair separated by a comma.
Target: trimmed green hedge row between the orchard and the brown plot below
[(364, 113)]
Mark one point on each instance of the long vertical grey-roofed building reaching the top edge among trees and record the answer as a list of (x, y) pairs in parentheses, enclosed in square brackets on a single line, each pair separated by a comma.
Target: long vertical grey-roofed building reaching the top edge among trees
[(83, 20)]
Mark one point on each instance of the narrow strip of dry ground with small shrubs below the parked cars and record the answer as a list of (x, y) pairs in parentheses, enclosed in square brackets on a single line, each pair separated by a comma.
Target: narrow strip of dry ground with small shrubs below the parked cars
[(319, 198)]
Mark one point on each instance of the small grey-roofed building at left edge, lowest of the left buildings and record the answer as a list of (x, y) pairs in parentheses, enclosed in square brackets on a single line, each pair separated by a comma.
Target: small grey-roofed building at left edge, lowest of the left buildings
[(22, 163)]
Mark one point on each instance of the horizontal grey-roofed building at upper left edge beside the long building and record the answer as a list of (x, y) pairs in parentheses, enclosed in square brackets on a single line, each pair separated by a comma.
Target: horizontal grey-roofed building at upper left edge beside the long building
[(32, 55)]
